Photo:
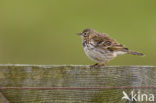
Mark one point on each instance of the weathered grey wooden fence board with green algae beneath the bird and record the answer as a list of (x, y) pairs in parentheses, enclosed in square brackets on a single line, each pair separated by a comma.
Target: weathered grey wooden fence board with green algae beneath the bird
[(74, 84)]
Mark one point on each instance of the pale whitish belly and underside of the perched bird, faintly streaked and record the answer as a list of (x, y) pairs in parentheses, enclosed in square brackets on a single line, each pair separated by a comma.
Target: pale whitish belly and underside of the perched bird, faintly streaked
[(99, 55)]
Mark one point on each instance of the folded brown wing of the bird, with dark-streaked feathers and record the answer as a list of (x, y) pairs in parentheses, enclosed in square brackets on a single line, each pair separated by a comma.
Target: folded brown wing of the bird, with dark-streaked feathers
[(106, 42)]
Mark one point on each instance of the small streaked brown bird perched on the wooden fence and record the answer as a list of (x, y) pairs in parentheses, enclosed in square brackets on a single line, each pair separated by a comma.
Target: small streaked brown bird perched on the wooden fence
[(101, 48)]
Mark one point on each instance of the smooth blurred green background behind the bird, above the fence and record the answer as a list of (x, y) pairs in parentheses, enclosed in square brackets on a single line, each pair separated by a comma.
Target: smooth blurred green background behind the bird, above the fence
[(44, 31)]
